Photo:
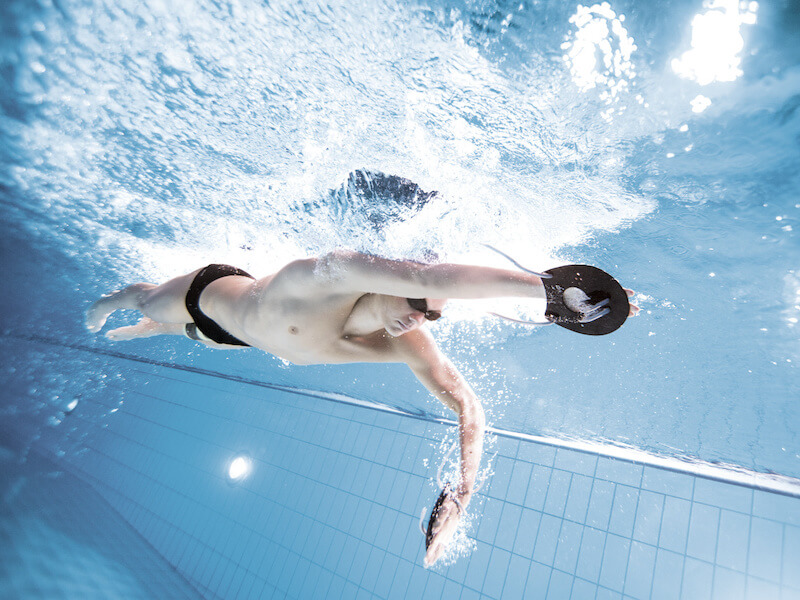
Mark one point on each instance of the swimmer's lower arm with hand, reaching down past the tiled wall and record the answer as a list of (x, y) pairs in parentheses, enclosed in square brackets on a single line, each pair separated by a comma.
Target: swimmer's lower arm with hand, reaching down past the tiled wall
[(442, 379)]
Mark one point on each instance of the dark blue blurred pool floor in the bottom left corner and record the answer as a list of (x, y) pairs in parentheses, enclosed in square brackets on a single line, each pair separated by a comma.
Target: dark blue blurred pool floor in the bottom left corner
[(60, 540)]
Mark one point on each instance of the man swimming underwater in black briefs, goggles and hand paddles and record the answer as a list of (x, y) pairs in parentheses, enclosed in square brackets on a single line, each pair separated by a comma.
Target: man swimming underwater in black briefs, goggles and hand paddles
[(347, 307)]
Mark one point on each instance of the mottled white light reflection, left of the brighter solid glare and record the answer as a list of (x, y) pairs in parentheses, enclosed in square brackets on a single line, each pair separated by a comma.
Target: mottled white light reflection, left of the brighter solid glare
[(599, 52)]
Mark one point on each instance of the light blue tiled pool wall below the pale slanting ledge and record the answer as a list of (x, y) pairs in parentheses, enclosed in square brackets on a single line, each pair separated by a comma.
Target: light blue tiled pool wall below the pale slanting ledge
[(331, 507)]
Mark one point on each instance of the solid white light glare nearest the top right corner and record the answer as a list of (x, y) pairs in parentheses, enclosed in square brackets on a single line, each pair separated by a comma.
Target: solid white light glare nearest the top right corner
[(716, 42)]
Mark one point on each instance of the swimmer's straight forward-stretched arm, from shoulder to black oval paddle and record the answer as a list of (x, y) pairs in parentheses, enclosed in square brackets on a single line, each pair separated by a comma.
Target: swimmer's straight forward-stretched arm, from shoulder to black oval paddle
[(353, 271)]
